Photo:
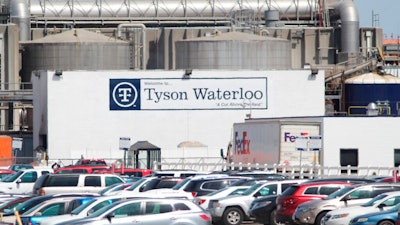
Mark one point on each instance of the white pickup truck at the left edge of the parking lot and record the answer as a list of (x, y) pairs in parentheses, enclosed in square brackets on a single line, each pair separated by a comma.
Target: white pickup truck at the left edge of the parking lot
[(22, 181)]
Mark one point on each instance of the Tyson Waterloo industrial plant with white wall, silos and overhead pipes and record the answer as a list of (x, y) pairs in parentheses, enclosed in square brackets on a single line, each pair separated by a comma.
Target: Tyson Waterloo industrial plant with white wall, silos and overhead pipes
[(61, 58)]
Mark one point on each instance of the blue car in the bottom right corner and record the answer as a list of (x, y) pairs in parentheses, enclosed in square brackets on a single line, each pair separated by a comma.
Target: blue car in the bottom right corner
[(387, 217)]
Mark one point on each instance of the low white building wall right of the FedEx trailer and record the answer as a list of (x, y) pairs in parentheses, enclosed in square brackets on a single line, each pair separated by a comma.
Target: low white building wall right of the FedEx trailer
[(374, 137)]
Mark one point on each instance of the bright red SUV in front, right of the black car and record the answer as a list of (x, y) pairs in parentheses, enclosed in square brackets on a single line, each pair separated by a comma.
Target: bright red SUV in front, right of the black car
[(296, 194)]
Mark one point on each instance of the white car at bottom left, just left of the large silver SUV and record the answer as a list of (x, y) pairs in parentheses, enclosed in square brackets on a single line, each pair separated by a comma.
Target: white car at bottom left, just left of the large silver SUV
[(83, 210)]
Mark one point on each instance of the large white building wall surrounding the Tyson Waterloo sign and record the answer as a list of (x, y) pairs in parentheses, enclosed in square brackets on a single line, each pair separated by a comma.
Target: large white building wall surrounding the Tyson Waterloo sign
[(75, 112)]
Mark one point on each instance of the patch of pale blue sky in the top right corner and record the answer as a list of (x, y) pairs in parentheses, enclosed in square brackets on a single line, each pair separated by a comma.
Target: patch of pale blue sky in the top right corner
[(387, 13)]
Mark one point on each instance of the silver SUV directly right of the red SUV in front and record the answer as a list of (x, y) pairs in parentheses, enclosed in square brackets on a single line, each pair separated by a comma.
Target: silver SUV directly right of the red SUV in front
[(313, 211)]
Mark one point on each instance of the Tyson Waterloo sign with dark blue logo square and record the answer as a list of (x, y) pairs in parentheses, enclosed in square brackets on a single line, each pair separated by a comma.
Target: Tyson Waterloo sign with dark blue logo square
[(188, 94)]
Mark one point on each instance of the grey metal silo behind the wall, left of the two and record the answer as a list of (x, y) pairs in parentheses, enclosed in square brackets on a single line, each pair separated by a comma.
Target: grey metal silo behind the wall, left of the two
[(75, 49)]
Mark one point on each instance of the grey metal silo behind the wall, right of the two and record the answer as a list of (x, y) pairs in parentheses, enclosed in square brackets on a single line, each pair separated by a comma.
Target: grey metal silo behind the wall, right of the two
[(233, 50)]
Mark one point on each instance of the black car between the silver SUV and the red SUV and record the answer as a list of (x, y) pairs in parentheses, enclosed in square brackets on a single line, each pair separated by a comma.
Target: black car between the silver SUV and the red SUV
[(263, 210)]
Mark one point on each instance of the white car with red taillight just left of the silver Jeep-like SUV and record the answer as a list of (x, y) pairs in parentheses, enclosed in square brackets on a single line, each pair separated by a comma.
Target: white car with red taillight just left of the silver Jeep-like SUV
[(204, 200)]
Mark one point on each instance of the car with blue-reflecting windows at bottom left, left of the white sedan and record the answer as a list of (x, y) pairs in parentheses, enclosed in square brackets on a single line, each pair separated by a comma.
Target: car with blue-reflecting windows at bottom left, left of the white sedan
[(50, 208)]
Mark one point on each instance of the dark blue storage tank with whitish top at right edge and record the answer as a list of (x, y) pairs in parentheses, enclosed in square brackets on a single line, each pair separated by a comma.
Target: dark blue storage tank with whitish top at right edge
[(383, 90)]
